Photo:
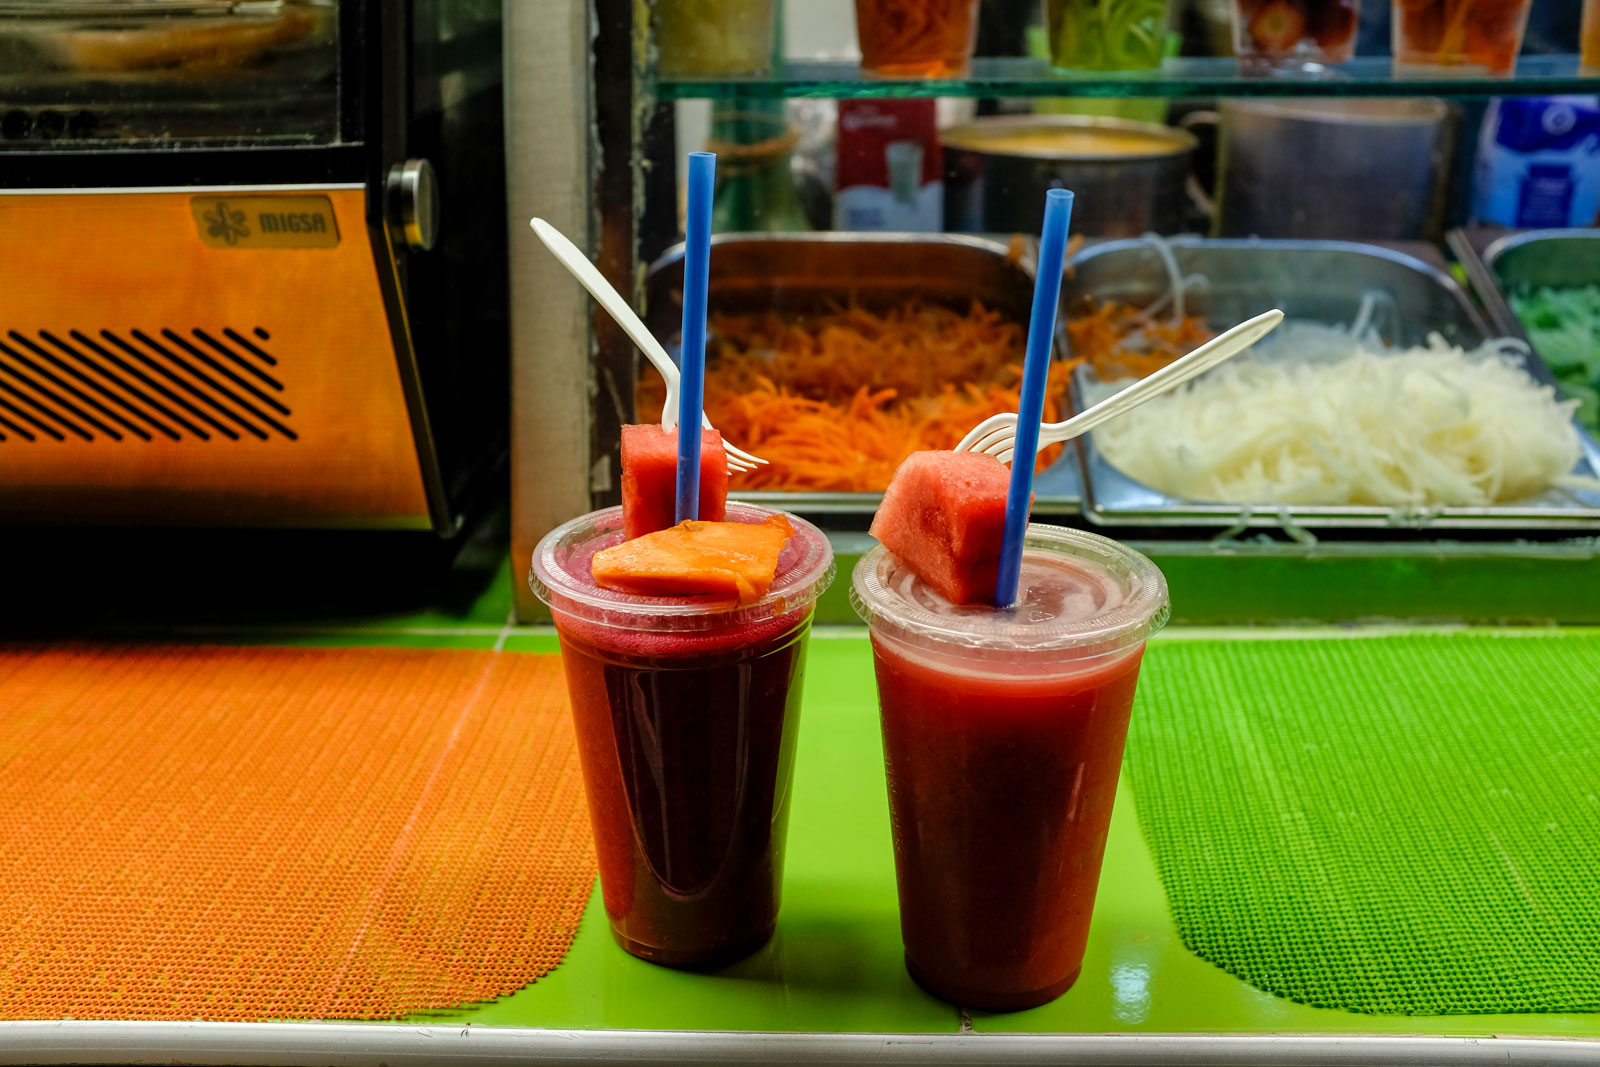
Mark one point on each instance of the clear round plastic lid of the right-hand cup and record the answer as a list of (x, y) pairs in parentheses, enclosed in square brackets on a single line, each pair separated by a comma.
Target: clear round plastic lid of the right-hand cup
[(1079, 594)]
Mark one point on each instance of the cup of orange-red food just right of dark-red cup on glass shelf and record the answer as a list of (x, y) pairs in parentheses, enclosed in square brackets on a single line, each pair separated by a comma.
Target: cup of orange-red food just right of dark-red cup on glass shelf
[(1466, 36)]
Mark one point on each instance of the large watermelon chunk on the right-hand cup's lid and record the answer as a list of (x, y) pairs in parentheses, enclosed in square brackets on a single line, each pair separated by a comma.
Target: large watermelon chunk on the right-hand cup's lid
[(945, 516)]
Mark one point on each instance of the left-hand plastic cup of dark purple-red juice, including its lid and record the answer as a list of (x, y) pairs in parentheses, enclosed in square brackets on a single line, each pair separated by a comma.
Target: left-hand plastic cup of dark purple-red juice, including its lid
[(686, 716)]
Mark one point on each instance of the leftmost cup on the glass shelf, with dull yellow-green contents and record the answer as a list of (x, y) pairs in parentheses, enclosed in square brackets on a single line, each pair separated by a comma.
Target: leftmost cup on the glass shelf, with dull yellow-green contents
[(713, 38)]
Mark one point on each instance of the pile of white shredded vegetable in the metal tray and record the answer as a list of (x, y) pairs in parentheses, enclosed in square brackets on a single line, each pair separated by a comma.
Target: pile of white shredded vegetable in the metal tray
[(1321, 418)]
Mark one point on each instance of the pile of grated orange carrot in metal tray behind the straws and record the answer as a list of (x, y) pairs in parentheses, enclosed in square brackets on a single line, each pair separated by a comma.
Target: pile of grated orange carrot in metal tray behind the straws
[(839, 399)]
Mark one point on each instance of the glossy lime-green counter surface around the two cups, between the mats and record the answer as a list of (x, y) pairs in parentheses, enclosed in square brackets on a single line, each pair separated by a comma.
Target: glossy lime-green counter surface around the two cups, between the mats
[(836, 962)]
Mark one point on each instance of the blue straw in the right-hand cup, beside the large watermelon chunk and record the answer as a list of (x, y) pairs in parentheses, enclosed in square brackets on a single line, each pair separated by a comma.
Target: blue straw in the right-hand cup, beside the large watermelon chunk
[(1031, 407)]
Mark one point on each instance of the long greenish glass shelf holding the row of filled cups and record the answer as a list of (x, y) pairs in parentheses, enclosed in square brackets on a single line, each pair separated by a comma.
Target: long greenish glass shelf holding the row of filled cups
[(1222, 76)]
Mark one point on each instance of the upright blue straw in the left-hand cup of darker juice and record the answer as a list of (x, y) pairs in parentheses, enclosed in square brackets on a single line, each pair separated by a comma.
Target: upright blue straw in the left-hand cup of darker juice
[(692, 362)]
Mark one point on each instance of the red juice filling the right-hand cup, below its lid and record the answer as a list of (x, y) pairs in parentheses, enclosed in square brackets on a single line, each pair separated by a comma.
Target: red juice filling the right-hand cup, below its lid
[(998, 881)]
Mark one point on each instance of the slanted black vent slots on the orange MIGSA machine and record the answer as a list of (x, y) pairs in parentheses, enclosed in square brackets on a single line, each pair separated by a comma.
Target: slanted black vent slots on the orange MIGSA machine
[(140, 388)]
